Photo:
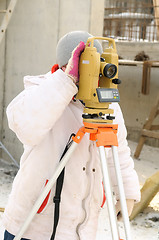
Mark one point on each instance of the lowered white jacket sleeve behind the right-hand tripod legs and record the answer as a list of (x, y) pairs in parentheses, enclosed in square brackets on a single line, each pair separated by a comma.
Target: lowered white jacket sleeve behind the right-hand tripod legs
[(129, 175)]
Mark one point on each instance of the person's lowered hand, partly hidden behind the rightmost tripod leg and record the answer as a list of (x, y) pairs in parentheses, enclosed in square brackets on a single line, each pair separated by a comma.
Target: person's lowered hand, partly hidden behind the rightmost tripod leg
[(130, 205)]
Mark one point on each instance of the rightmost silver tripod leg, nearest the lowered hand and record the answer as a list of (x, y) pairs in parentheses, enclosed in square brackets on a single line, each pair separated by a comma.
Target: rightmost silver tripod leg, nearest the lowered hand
[(121, 193)]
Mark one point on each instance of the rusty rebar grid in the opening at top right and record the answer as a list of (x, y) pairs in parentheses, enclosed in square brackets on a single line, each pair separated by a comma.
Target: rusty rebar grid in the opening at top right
[(133, 20)]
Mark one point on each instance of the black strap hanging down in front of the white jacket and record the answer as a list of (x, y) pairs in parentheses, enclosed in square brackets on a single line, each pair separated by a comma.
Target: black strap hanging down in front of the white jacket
[(57, 197)]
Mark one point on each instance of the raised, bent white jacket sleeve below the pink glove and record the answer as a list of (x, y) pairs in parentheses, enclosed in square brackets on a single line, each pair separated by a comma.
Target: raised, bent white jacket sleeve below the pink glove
[(35, 110)]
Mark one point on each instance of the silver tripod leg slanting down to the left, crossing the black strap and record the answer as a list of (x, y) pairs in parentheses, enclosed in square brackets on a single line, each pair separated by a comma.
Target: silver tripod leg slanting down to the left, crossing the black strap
[(46, 190)]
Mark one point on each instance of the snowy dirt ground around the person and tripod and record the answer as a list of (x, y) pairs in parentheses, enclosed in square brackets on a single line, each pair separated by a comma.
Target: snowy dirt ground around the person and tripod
[(144, 227)]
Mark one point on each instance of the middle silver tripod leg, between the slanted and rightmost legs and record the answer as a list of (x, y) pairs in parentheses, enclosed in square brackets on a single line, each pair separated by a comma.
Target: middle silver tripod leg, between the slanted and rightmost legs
[(109, 195)]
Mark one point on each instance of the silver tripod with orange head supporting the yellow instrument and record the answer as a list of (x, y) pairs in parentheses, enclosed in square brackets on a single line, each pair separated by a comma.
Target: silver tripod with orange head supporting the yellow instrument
[(105, 135)]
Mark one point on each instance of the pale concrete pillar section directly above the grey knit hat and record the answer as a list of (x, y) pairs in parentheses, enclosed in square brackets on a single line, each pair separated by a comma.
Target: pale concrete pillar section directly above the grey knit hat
[(86, 15)]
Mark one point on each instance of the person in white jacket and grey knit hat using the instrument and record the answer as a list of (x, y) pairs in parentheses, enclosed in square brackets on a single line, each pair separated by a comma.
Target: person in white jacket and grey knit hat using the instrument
[(43, 116)]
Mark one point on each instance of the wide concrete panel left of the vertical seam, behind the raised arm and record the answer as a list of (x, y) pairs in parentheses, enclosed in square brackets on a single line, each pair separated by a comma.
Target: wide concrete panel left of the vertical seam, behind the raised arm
[(30, 50)]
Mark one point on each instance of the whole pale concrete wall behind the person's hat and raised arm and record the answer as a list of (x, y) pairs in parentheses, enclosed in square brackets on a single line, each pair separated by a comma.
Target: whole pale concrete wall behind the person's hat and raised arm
[(29, 46)]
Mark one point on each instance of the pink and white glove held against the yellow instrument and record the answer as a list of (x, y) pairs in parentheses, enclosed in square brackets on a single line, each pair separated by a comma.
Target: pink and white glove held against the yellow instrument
[(73, 63)]
